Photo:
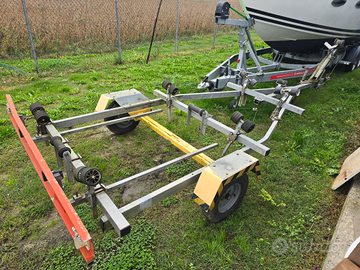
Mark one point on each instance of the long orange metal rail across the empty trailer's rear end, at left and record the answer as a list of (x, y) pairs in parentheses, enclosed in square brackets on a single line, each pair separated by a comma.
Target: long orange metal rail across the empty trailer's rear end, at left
[(58, 197)]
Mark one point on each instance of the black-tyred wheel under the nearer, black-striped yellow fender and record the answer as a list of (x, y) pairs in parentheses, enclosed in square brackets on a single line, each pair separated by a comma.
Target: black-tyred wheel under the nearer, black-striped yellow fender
[(229, 199)]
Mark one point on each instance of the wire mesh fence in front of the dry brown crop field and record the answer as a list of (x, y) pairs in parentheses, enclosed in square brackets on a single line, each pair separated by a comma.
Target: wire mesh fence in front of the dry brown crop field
[(69, 27)]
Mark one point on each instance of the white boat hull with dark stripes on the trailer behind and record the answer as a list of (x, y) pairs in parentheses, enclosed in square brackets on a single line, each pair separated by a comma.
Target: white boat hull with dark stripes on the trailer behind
[(296, 26)]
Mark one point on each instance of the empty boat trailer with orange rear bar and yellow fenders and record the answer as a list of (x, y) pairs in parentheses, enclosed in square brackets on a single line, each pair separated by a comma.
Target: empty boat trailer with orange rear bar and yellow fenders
[(220, 184)]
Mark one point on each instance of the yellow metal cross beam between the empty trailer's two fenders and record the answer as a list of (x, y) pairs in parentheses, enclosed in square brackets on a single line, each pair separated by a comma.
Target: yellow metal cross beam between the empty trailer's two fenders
[(175, 140)]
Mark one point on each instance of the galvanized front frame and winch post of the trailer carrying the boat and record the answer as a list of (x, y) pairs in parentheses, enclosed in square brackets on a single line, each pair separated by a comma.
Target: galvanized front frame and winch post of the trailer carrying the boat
[(218, 78)]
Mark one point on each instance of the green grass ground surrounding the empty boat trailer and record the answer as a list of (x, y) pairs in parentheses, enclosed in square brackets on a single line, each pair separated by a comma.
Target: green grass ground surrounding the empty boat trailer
[(292, 206)]
